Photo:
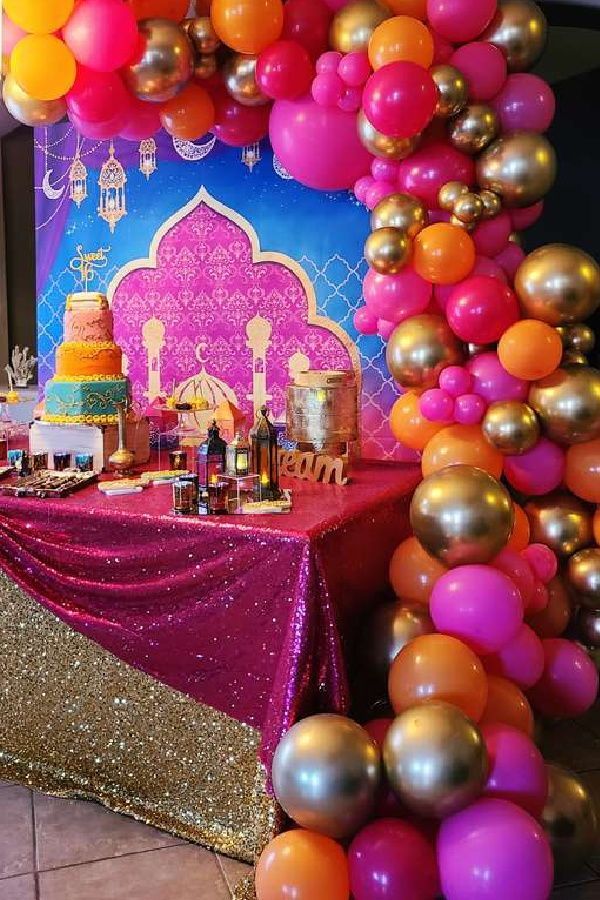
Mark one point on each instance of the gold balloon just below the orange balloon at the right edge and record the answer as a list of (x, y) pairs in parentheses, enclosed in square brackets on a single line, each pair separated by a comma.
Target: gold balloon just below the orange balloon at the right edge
[(560, 521)]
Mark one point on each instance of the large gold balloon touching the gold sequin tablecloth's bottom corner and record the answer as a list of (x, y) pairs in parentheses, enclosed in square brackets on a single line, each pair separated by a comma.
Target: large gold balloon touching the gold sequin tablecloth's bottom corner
[(326, 772)]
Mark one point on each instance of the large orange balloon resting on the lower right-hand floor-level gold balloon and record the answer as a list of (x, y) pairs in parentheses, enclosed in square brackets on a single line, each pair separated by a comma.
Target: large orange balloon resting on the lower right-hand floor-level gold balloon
[(438, 667)]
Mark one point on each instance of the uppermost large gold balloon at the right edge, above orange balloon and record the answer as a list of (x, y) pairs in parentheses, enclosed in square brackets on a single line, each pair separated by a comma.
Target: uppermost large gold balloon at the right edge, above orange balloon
[(558, 284)]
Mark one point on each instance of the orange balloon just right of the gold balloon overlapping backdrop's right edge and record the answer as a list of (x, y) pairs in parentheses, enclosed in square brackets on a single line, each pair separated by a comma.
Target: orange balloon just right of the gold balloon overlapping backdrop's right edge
[(443, 253)]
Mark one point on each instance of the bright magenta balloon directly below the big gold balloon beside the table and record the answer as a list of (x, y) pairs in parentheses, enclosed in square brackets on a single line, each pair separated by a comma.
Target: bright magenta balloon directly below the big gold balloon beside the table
[(479, 605)]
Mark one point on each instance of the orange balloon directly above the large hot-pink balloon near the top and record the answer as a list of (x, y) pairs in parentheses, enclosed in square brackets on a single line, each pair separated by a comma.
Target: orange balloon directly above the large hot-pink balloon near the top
[(401, 38)]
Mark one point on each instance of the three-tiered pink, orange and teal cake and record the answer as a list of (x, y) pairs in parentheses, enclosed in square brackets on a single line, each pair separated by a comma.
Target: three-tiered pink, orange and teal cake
[(88, 382)]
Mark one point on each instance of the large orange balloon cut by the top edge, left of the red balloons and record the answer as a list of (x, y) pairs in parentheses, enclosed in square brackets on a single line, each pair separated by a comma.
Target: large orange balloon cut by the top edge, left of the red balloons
[(247, 26)]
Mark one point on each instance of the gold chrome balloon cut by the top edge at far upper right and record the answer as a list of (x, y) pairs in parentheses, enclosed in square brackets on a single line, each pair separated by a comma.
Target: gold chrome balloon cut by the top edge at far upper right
[(519, 28)]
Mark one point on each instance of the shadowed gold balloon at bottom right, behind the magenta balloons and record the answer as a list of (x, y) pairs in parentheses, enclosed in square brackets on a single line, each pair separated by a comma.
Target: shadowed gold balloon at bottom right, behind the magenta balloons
[(569, 819)]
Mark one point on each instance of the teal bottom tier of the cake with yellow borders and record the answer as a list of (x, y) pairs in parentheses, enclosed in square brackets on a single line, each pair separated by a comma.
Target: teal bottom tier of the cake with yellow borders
[(93, 401)]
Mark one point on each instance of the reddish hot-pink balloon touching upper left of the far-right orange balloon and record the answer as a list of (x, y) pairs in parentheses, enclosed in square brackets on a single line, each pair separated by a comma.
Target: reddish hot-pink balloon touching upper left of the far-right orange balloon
[(480, 309)]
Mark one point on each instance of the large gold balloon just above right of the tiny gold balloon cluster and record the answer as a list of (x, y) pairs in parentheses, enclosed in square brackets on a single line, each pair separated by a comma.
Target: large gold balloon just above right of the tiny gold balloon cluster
[(519, 167)]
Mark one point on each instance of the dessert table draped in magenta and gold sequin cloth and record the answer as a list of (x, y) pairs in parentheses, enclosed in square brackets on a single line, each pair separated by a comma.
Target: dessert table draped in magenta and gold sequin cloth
[(152, 662)]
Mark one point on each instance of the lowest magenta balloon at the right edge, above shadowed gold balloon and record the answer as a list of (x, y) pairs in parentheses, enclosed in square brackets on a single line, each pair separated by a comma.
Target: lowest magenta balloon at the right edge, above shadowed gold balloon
[(569, 685)]
